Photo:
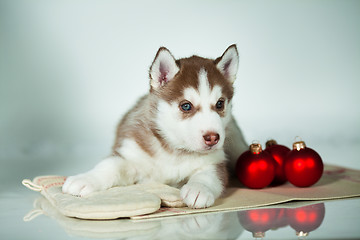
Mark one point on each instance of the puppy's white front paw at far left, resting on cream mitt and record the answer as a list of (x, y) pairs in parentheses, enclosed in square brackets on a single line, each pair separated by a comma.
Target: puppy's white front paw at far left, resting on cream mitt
[(81, 185)]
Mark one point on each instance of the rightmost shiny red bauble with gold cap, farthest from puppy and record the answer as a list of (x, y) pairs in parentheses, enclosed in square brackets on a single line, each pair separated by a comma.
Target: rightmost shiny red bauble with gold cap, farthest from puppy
[(303, 166)]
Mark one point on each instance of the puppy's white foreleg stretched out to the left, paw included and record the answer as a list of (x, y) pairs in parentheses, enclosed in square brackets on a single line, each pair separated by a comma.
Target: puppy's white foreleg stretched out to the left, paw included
[(111, 171)]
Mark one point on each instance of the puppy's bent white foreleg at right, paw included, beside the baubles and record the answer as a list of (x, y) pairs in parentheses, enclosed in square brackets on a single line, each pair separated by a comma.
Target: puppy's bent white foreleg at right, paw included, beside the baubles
[(203, 188)]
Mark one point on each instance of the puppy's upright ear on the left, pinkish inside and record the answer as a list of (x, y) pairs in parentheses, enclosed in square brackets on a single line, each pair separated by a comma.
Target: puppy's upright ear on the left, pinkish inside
[(163, 69)]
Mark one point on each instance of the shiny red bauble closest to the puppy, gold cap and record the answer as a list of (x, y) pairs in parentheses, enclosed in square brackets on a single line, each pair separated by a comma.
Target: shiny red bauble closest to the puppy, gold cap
[(255, 168)]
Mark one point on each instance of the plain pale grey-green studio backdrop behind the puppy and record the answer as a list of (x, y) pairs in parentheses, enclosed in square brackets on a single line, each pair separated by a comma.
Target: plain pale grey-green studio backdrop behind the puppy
[(70, 69)]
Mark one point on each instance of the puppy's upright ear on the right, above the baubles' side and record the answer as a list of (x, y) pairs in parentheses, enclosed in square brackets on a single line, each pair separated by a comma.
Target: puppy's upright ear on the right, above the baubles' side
[(228, 63)]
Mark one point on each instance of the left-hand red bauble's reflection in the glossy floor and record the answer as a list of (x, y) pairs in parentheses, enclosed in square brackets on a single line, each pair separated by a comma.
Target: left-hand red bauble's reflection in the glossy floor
[(258, 221)]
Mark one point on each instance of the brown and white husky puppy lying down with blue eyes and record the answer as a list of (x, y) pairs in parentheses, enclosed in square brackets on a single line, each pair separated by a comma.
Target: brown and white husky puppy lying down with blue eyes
[(182, 133)]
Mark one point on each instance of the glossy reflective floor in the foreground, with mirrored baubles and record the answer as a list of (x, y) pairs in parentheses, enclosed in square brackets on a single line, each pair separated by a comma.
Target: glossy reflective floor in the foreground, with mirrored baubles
[(27, 215)]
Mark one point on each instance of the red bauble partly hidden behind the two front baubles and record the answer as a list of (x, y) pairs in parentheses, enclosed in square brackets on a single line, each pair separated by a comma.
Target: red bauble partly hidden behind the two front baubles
[(278, 152)]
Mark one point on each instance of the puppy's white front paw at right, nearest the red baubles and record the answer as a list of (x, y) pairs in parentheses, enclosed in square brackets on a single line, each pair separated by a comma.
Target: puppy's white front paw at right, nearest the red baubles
[(197, 195)]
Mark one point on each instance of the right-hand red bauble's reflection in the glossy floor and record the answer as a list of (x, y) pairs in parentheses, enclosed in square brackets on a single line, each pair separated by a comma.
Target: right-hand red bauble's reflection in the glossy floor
[(306, 219)]
